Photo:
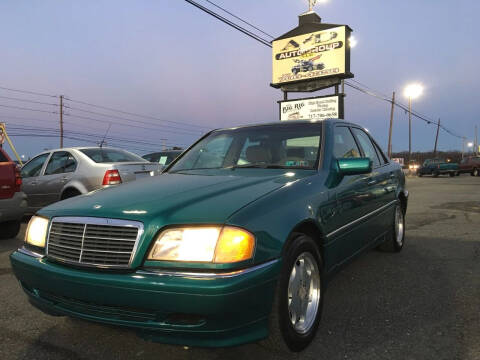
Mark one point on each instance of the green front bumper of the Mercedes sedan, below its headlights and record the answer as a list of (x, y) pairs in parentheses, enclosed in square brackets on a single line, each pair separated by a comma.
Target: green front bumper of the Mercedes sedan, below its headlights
[(210, 311)]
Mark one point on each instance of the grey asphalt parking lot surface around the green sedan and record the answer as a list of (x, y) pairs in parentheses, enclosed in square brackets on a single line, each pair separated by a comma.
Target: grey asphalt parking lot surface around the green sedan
[(423, 303)]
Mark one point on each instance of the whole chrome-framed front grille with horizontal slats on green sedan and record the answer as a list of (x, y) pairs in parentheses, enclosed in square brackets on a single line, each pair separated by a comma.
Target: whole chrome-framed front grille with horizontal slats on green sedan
[(95, 242)]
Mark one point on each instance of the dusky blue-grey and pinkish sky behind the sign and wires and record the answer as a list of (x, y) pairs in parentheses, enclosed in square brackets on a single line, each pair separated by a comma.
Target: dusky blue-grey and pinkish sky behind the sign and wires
[(167, 59)]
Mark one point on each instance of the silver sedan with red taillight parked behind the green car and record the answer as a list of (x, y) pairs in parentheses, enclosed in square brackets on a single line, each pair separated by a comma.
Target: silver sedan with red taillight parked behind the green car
[(64, 173)]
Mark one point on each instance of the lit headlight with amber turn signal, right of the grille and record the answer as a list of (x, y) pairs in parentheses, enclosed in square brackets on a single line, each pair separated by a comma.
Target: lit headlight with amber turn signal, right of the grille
[(213, 244)]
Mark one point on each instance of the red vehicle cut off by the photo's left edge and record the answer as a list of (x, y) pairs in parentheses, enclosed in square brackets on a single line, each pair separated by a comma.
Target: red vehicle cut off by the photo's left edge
[(13, 202)]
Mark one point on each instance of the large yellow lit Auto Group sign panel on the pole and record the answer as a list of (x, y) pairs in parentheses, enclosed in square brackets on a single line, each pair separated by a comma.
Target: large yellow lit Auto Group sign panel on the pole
[(311, 56)]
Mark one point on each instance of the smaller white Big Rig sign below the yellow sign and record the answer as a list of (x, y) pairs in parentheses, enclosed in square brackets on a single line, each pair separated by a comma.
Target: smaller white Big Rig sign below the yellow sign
[(316, 108)]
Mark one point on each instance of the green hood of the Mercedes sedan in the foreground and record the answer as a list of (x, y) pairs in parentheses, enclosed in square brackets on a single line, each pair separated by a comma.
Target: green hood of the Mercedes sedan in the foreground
[(190, 197)]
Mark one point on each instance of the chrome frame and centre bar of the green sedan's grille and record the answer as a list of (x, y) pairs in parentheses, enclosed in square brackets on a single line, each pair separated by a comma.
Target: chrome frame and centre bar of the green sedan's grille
[(96, 221)]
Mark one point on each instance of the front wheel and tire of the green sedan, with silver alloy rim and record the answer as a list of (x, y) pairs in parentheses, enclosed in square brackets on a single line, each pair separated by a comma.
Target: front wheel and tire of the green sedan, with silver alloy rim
[(298, 303)]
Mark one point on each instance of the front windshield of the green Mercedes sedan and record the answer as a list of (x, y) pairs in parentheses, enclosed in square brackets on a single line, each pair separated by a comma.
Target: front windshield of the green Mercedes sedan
[(292, 146)]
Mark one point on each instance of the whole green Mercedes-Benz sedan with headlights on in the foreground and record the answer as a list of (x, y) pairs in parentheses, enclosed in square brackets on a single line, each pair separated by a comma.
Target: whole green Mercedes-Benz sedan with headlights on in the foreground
[(234, 243)]
